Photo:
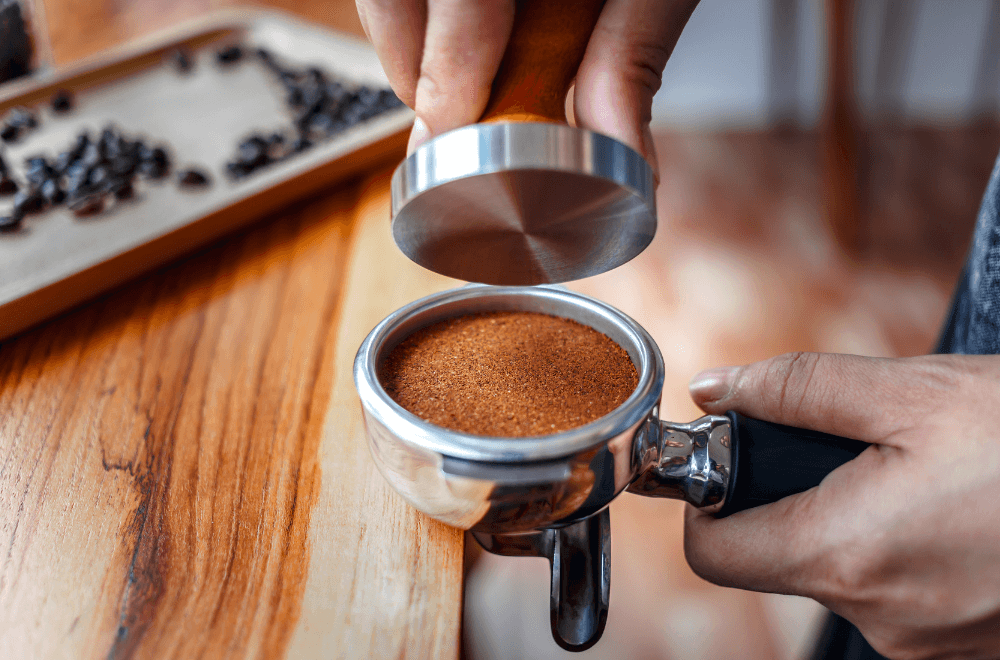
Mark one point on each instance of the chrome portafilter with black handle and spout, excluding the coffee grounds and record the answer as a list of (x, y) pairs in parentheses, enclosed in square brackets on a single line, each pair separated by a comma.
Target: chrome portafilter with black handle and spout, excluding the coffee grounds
[(547, 496)]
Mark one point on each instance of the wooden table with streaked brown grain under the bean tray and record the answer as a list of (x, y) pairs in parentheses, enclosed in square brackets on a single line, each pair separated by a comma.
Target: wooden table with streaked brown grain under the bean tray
[(183, 470)]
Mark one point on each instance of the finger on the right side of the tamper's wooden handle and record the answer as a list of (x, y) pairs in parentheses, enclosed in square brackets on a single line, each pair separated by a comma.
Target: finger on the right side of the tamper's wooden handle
[(622, 68)]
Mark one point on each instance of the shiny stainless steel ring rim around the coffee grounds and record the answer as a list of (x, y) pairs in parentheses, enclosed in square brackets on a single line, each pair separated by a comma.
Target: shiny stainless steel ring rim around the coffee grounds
[(469, 299)]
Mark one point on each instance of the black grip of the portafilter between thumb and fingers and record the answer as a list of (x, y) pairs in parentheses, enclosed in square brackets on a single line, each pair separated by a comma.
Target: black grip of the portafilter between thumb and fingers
[(770, 461)]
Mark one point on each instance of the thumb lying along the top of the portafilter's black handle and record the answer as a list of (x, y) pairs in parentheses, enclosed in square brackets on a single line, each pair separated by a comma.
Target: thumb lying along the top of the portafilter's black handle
[(871, 399)]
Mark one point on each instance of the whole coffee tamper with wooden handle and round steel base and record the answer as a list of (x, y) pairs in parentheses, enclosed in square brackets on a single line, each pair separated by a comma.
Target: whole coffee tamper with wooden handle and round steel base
[(521, 198)]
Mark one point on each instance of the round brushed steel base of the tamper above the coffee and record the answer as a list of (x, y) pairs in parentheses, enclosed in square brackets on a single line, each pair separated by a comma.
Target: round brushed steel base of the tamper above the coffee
[(523, 203)]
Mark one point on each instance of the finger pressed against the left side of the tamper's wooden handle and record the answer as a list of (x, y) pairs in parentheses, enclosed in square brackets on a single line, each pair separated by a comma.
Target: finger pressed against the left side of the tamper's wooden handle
[(464, 44)]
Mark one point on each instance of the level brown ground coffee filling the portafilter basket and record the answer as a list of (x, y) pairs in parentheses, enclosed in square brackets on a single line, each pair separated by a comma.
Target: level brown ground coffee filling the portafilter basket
[(509, 374)]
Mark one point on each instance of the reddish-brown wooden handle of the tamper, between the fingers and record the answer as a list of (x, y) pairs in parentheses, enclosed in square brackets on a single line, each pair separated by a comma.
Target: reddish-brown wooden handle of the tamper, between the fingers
[(546, 46)]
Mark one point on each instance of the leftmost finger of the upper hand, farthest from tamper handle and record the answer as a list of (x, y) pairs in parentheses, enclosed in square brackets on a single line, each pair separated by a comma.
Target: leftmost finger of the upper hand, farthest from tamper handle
[(396, 29)]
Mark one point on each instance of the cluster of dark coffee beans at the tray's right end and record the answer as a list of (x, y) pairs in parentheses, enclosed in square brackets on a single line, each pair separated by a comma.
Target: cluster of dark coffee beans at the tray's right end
[(321, 108)]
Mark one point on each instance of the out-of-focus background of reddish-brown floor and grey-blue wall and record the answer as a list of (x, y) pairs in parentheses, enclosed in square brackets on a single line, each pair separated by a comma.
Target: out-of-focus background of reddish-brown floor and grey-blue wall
[(822, 163)]
